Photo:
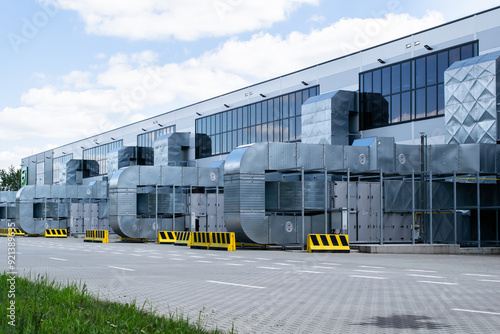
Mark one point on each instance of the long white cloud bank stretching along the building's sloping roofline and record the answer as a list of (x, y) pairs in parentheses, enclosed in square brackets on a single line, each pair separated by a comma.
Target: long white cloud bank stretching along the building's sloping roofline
[(129, 87)]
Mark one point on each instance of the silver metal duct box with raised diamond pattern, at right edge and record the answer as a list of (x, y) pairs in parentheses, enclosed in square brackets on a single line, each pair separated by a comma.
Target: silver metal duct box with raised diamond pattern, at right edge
[(471, 100)]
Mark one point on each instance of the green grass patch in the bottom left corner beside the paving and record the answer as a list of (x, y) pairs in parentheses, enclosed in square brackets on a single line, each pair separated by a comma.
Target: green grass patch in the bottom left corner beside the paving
[(43, 306)]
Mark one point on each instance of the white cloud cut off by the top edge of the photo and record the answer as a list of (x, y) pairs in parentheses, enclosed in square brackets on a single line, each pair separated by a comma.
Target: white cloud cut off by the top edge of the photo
[(180, 19)]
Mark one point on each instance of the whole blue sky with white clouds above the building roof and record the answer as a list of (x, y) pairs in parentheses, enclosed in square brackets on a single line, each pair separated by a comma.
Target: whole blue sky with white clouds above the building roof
[(73, 68)]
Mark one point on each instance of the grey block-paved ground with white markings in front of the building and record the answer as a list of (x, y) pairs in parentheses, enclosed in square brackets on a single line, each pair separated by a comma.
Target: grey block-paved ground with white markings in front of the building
[(282, 292)]
